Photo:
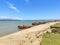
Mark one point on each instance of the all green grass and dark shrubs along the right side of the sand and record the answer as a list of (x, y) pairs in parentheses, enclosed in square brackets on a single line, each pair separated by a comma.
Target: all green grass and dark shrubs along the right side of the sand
[(52, 38)]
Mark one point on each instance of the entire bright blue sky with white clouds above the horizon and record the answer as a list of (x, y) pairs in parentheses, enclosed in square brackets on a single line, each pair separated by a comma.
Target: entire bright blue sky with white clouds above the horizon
[(30, 9)]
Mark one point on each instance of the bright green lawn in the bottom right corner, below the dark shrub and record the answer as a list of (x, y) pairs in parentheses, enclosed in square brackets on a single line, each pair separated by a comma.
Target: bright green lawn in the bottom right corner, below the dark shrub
[(51, 39)]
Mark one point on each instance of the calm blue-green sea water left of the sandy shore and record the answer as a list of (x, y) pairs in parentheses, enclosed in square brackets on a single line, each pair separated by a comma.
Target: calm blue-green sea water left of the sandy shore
[(7, 27)]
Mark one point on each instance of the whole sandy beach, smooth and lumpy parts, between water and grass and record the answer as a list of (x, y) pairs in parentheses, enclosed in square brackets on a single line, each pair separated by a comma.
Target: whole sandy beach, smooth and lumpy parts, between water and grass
[(26, 36)]
